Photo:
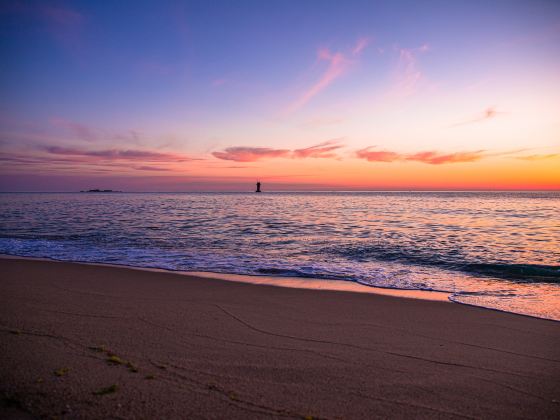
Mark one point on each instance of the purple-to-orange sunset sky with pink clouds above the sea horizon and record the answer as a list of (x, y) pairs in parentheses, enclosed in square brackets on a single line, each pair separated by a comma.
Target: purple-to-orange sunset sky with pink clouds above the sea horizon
[(301, 95)]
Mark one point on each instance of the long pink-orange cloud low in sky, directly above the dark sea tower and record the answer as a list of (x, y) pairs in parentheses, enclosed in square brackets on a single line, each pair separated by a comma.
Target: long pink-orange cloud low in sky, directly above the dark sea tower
[(323, 150)]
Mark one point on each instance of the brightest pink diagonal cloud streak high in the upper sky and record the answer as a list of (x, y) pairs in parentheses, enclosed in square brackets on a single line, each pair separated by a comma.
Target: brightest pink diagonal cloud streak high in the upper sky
[(338, 63)]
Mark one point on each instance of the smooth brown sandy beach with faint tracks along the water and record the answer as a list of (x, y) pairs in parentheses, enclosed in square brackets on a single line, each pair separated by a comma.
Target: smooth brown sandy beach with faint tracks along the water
[(83, 341)]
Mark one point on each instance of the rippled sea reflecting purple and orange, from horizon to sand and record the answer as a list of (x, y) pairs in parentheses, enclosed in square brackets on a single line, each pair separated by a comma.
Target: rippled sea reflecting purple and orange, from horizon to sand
[(498, 250)]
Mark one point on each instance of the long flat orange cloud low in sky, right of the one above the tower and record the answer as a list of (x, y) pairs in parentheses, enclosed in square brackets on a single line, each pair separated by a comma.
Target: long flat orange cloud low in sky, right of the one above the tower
[(429, 157)]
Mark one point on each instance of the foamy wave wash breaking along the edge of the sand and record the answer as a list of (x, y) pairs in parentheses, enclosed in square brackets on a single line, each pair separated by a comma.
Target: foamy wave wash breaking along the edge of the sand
[(534, 286)]
